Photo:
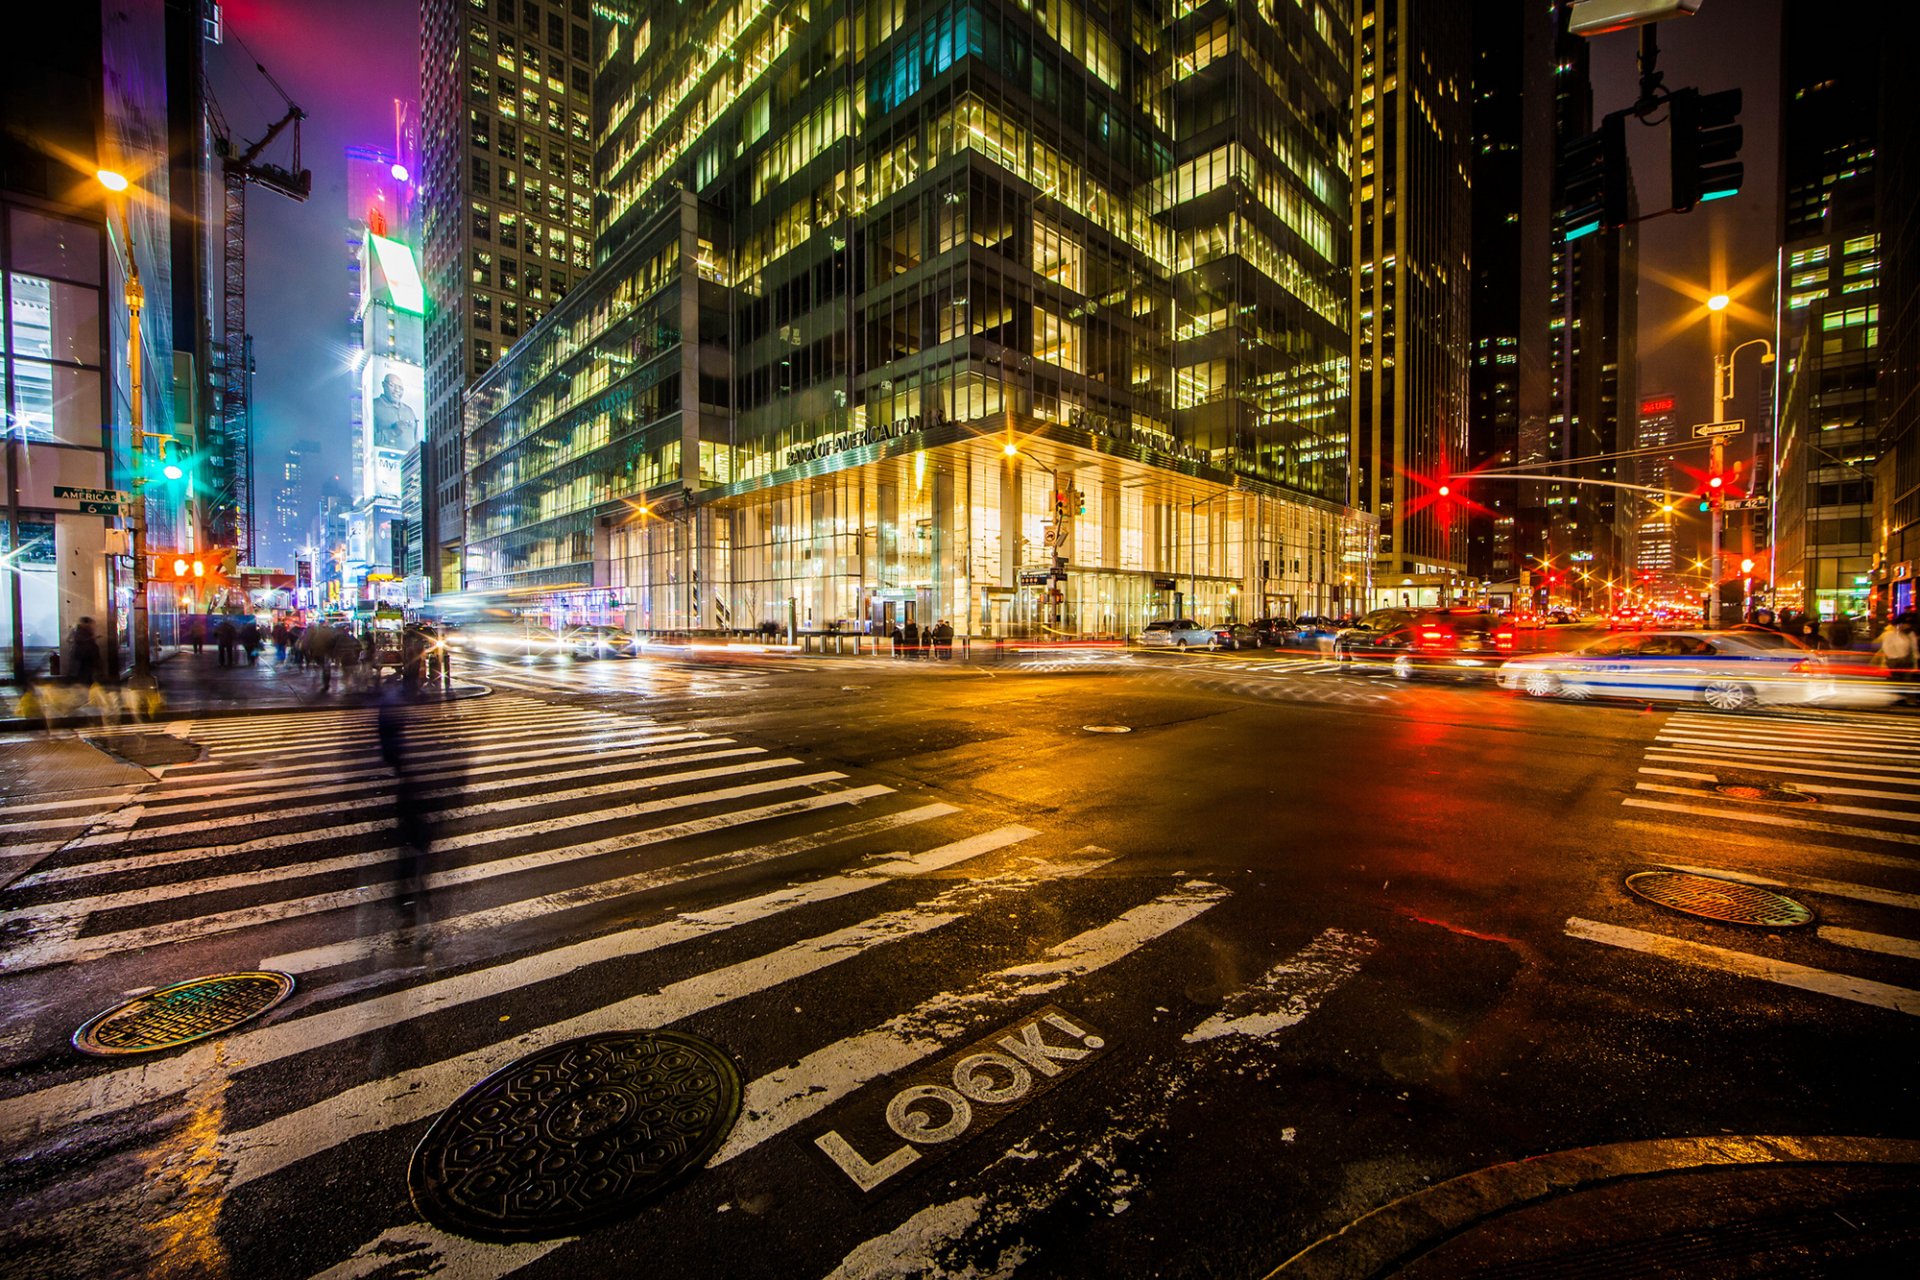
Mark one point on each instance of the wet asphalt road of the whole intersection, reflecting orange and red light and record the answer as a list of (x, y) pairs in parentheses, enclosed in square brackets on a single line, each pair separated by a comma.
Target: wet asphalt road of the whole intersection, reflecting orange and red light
[(1312, 941)]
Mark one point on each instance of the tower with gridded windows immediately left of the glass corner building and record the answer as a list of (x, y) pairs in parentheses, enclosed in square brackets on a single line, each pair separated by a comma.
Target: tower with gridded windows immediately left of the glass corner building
[(508, 187)]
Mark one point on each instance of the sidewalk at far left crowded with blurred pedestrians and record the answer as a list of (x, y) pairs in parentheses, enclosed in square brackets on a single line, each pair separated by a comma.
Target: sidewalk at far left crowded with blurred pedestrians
[(195, 688)]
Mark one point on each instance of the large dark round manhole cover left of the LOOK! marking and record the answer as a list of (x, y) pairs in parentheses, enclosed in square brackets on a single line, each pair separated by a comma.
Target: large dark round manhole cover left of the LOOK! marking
[(575, 1135)]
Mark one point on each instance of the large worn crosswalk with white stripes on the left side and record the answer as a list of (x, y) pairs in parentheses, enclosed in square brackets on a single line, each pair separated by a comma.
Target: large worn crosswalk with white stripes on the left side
[(830, 932)]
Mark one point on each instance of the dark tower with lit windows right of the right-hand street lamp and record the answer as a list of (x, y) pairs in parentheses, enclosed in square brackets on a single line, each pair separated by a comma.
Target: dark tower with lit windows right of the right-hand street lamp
[(1829, 321)]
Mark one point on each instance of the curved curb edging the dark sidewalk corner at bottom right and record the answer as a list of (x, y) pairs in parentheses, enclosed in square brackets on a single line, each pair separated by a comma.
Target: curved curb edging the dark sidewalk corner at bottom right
[(1395, 1235)]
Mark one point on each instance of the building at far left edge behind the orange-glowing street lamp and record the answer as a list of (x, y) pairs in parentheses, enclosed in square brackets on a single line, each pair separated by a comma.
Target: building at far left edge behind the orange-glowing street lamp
[(74, 358)]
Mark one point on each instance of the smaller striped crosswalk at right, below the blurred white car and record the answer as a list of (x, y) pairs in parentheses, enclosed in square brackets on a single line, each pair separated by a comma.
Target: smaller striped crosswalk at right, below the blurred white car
[(1823, 809)]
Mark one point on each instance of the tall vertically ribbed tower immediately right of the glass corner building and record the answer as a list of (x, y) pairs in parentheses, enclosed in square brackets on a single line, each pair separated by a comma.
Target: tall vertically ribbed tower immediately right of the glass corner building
[(1412, 289)]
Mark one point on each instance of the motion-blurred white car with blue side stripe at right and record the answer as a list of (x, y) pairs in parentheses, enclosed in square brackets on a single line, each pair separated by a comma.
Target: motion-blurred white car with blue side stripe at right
[(1727, 671)]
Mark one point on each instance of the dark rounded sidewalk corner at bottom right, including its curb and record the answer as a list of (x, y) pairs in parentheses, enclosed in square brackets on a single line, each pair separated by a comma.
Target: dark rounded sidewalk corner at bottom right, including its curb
[(1764, 1206)]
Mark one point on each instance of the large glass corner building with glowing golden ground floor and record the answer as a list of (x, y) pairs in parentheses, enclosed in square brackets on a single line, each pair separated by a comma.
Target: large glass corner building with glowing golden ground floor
[(1026, 320)]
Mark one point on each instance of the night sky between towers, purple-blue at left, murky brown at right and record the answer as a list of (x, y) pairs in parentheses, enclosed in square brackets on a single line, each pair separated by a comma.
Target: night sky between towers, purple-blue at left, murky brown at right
[(347, 60)]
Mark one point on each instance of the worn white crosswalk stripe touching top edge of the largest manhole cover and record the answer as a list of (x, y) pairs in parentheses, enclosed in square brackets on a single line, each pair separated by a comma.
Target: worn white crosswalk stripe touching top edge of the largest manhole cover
[(420, 1093)]
